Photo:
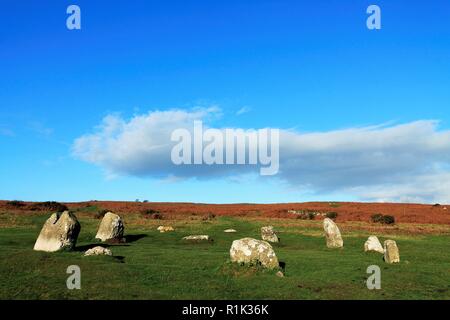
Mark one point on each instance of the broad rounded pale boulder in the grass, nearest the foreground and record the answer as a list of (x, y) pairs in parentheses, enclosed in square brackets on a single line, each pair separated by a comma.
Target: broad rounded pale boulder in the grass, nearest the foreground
[(249, 250)]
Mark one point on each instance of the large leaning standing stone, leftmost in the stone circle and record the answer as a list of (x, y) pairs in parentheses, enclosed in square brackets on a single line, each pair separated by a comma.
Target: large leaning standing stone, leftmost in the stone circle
[(60, 231)]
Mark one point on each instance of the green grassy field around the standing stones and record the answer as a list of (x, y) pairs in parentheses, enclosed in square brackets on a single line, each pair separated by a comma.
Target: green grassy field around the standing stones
[(153, 265)]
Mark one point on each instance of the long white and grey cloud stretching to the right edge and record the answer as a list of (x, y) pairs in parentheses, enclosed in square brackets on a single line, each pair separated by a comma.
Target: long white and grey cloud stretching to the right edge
[(407, 162)]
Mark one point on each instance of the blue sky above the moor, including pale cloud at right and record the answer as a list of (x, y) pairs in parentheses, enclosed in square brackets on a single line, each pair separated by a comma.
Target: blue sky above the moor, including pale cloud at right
[(307, 66)]
